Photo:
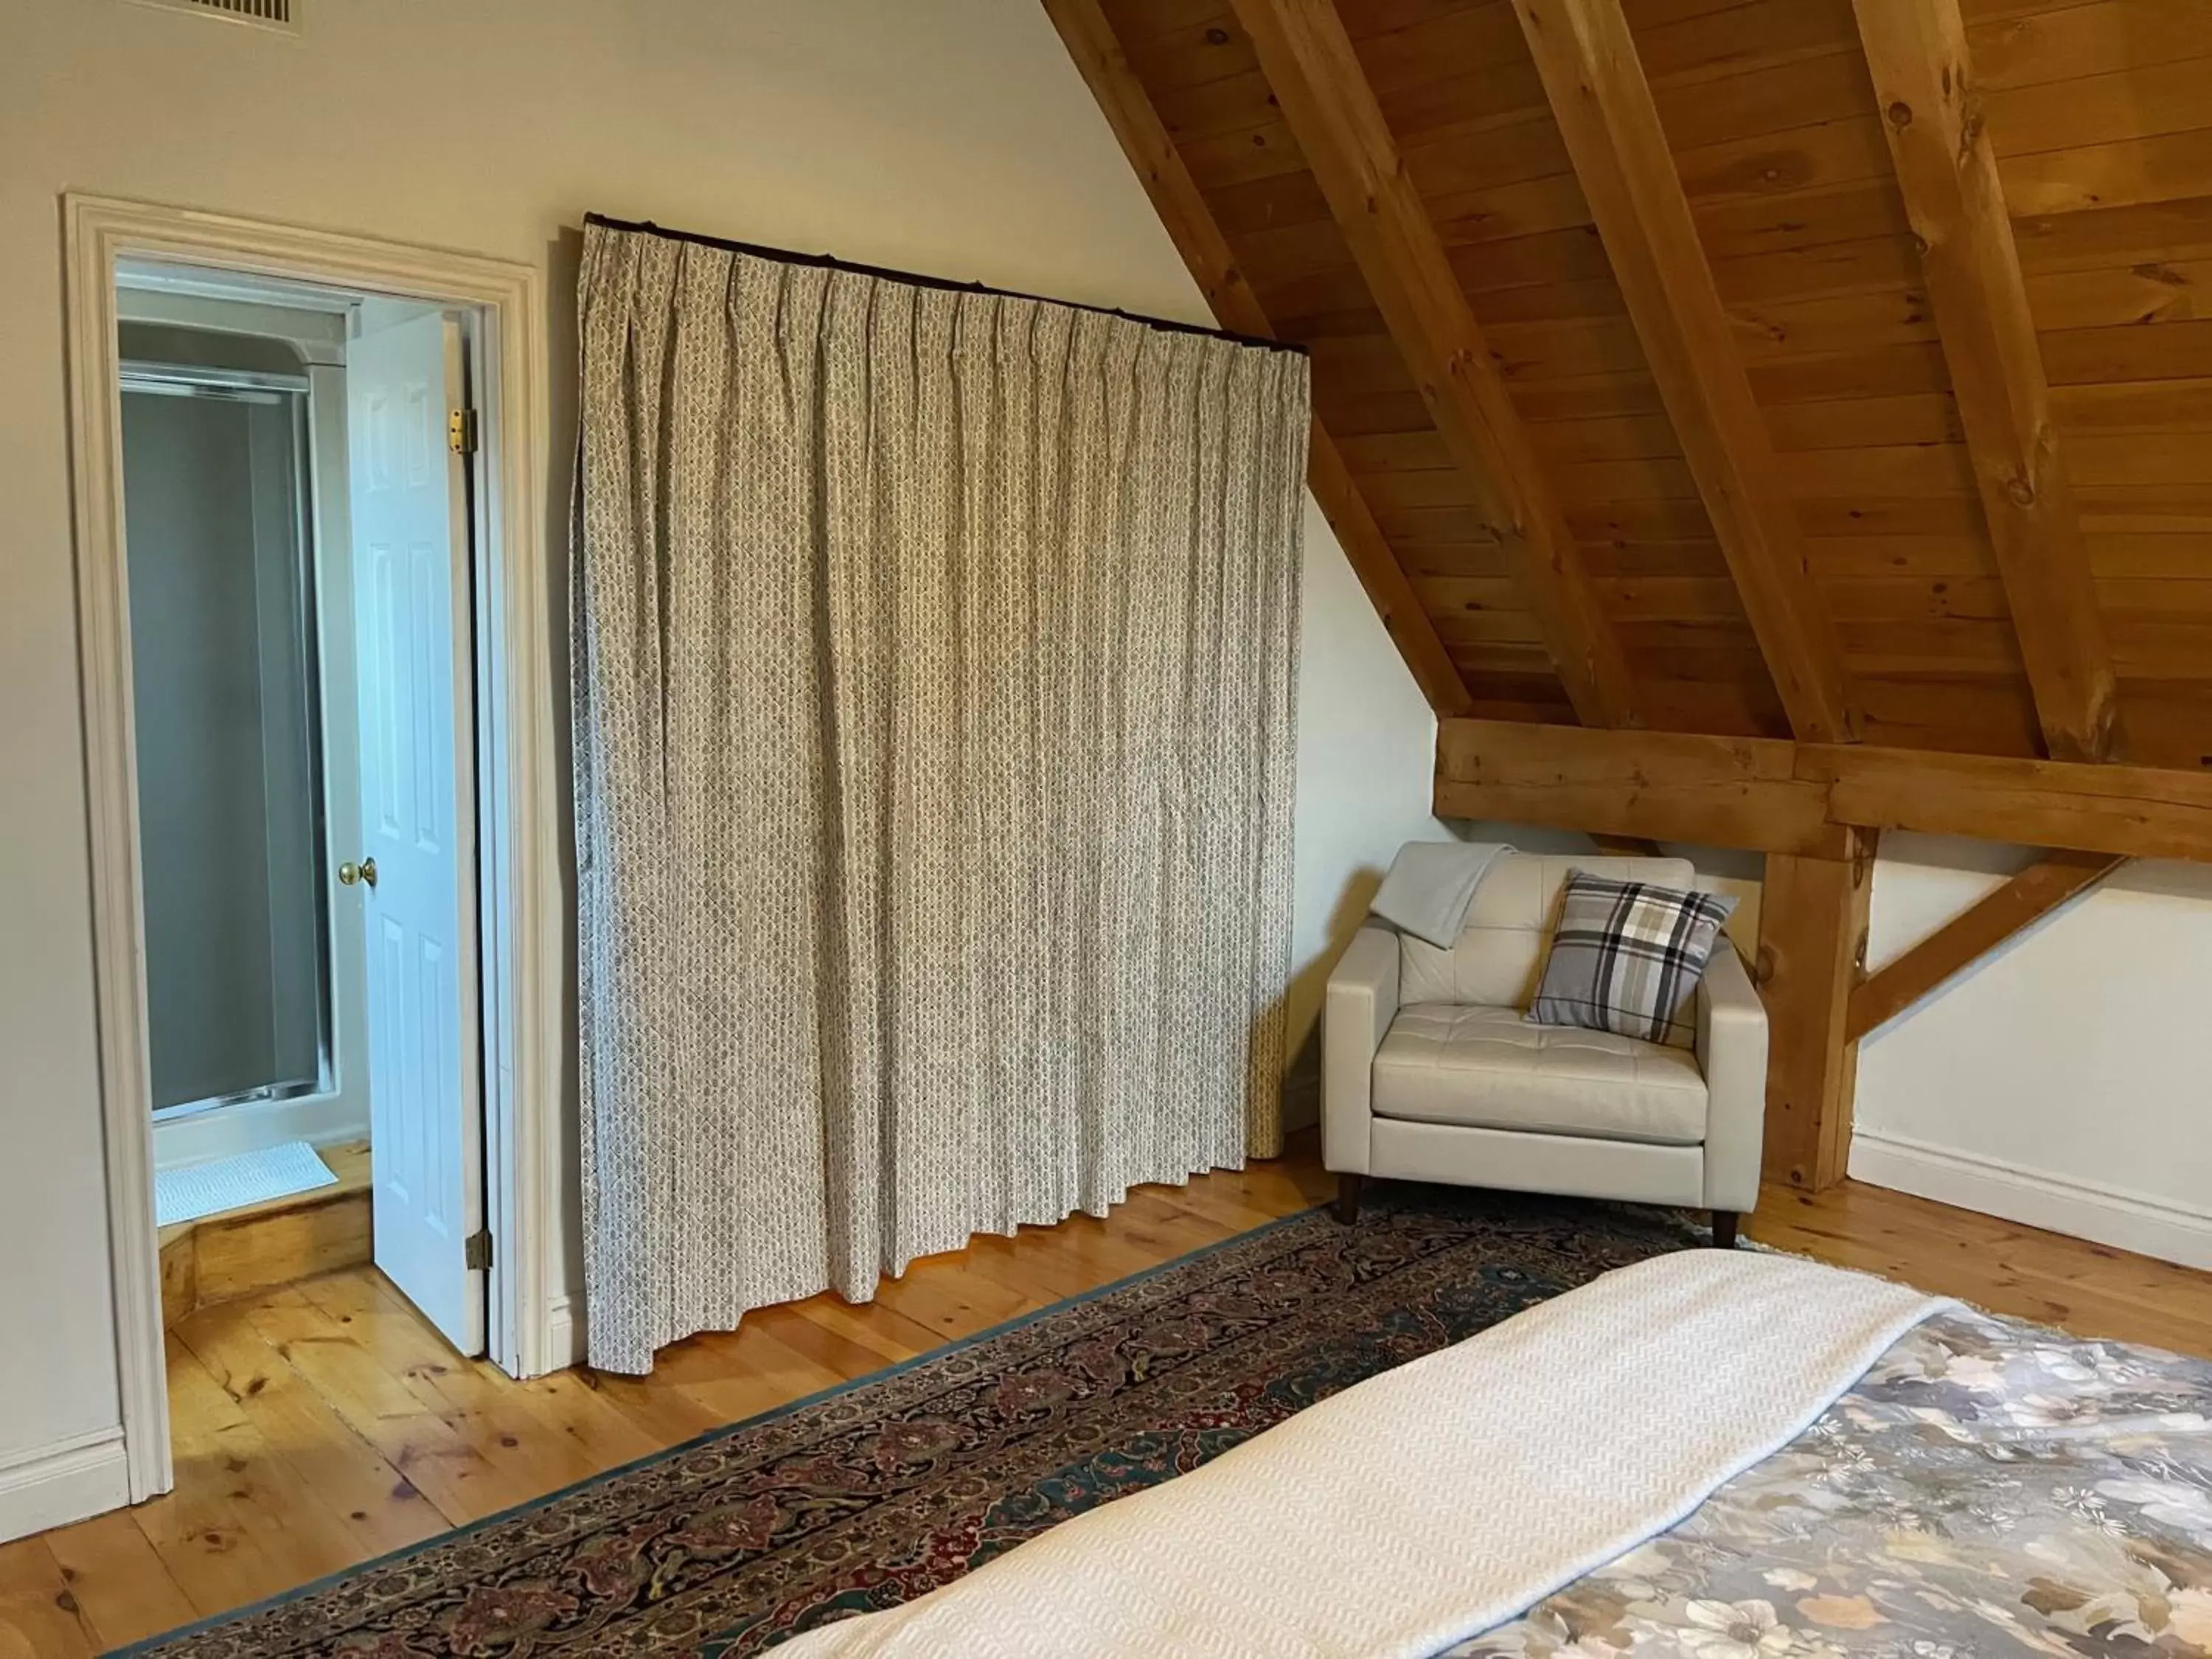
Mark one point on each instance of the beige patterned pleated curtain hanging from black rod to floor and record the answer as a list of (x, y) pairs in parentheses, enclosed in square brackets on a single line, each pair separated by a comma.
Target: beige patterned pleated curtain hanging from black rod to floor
[(935, 693)]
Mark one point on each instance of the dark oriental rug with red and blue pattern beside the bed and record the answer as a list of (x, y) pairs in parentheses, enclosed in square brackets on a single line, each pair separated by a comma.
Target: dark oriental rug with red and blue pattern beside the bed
[(893, 1485)]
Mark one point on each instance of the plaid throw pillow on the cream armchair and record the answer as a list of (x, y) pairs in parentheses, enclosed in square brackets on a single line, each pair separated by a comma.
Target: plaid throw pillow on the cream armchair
[(1627, 959)]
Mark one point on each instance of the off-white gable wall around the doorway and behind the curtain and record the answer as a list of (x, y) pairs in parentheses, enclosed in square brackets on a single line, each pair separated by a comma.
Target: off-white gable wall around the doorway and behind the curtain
[(948, 138)]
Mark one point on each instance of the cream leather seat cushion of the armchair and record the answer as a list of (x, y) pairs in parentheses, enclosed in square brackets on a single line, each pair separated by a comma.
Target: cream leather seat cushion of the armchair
[(1492, 1070)]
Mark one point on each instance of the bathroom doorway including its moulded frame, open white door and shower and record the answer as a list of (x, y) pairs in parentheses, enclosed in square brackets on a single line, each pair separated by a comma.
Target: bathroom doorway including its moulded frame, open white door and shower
[(317, 705)]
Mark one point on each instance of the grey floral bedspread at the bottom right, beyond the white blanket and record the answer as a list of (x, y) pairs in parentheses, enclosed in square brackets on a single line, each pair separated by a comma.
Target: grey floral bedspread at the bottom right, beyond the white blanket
[(1985, 1490)]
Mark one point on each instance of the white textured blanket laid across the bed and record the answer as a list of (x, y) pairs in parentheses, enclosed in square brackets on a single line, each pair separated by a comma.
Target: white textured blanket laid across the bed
[(1439, 1499)]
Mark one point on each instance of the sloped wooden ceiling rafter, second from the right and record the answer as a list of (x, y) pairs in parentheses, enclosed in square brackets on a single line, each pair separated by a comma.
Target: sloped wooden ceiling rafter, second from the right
[(1587, 59)]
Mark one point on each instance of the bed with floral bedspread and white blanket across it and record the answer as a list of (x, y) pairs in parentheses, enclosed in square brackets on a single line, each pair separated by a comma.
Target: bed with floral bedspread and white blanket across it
[(1713, 1454)]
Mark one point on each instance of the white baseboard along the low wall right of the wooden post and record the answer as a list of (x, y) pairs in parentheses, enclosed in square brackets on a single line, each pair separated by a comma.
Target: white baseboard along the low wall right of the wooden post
[(2034, 1198)]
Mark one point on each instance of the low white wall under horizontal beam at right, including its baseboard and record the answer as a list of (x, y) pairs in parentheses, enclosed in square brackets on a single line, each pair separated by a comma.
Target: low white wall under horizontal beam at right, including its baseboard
[(2065, 1081)]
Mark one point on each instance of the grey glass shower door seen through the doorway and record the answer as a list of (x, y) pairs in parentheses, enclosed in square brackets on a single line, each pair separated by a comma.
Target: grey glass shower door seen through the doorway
[(229, 735)]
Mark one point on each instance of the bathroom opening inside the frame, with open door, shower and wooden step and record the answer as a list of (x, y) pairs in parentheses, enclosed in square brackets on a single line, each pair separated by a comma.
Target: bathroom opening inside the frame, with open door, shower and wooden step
[(300, 550)]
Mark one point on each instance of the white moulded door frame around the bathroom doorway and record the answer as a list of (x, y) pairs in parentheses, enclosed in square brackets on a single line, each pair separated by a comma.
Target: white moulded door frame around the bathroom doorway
[(521, 881)]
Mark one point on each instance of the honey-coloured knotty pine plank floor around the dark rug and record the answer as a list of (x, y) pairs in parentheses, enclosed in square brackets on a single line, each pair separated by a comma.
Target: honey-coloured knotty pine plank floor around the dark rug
[(326, 1423)]
